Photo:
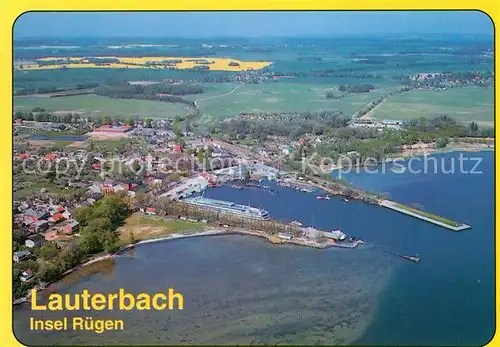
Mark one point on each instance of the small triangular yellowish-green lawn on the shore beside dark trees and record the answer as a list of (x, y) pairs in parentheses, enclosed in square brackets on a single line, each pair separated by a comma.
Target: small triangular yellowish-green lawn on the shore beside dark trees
[(152, 227)]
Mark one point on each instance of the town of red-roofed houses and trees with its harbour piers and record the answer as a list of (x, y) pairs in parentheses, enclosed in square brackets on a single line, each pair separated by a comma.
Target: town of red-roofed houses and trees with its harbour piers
[(71, 175)]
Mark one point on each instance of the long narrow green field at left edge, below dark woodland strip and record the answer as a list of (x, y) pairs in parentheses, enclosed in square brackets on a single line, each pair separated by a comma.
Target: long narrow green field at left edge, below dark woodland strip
[(99, 106)]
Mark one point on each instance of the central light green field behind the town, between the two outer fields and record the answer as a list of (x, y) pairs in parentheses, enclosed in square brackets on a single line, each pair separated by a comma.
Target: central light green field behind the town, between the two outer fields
[(282, 96)]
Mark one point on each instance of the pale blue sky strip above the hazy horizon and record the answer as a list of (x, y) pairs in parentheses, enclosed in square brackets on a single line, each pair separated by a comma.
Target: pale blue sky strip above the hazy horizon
[(248, 24)]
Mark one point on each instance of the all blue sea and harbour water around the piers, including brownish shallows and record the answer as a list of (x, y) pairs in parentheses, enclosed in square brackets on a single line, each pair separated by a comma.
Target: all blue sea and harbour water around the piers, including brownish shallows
[(241, 289)]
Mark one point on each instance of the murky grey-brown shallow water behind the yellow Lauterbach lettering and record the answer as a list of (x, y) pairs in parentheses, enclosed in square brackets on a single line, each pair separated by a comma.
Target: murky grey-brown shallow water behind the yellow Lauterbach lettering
[(237, 289)]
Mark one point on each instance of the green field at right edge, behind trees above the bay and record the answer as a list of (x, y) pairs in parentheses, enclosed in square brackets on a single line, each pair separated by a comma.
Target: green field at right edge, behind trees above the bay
[(463, 104)]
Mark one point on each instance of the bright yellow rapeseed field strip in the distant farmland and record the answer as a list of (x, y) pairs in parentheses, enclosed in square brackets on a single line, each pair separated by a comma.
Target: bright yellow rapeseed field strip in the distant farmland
[(215, 64)]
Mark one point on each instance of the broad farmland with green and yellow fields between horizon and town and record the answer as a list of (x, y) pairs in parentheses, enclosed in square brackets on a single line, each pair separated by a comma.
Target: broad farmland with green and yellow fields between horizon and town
[(290, 75)]
